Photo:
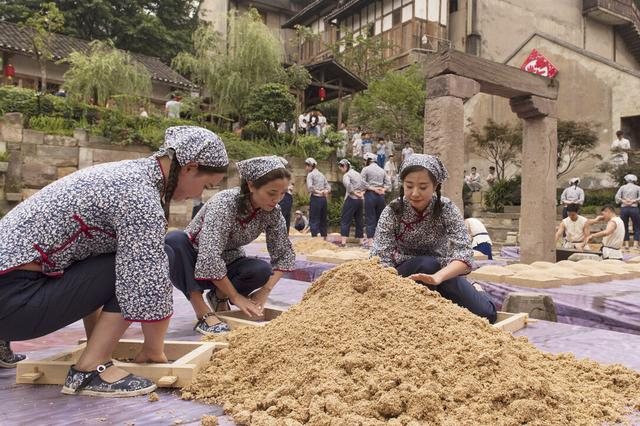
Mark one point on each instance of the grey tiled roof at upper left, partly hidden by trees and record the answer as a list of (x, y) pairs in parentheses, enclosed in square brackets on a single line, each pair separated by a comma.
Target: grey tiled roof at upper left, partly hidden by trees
[(14, 37)]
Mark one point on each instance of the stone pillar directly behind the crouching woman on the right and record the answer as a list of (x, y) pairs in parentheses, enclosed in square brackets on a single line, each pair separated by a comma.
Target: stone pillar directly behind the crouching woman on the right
[(444, 127)]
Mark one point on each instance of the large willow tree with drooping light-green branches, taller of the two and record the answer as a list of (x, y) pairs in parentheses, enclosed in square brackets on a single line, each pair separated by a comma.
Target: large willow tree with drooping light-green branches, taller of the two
[(229, 67)]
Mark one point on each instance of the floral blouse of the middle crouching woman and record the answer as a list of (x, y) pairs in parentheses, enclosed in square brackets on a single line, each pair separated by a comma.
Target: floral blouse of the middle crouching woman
[(218, 234)]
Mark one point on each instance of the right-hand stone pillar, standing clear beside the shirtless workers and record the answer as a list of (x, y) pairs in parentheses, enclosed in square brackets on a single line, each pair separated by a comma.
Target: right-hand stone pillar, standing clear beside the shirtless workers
[(539, 168)]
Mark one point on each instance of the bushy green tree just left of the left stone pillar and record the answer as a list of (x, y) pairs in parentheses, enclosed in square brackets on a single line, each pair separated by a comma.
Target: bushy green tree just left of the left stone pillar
[(393, 104)]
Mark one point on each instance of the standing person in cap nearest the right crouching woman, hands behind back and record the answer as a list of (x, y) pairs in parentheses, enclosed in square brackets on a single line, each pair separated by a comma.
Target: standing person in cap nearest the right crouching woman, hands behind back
[(376, 183)]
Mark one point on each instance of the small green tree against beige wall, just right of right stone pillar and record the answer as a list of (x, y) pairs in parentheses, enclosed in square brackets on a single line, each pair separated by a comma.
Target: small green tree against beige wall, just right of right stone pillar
[(576, 140)]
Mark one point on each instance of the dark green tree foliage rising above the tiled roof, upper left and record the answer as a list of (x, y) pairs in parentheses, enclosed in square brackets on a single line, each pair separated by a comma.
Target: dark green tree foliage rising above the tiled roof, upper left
[(160, 28)]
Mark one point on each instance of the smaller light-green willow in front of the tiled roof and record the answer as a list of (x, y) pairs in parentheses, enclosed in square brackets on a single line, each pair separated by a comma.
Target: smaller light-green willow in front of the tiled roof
[(103, 72)]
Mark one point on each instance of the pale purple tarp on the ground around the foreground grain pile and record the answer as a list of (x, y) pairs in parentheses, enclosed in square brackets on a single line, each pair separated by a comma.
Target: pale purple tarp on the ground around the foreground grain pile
[(39, 404)]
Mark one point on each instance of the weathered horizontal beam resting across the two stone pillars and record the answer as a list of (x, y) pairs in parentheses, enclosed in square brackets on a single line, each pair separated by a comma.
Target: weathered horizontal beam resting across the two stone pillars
[(494, 78)]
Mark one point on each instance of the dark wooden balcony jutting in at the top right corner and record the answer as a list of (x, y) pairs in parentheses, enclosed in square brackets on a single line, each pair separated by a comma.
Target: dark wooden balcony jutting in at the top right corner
[(624, 15)]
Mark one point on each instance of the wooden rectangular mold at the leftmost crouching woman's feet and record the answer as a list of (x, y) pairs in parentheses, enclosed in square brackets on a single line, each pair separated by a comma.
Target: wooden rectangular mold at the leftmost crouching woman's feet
[(186, 358)]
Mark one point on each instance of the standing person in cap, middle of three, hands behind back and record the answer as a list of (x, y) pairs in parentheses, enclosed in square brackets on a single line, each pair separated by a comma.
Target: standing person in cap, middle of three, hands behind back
[(353, 201)]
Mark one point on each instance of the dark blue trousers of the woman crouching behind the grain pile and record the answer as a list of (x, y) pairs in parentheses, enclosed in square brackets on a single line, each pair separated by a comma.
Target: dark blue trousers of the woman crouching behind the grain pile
[(457, 289)]
